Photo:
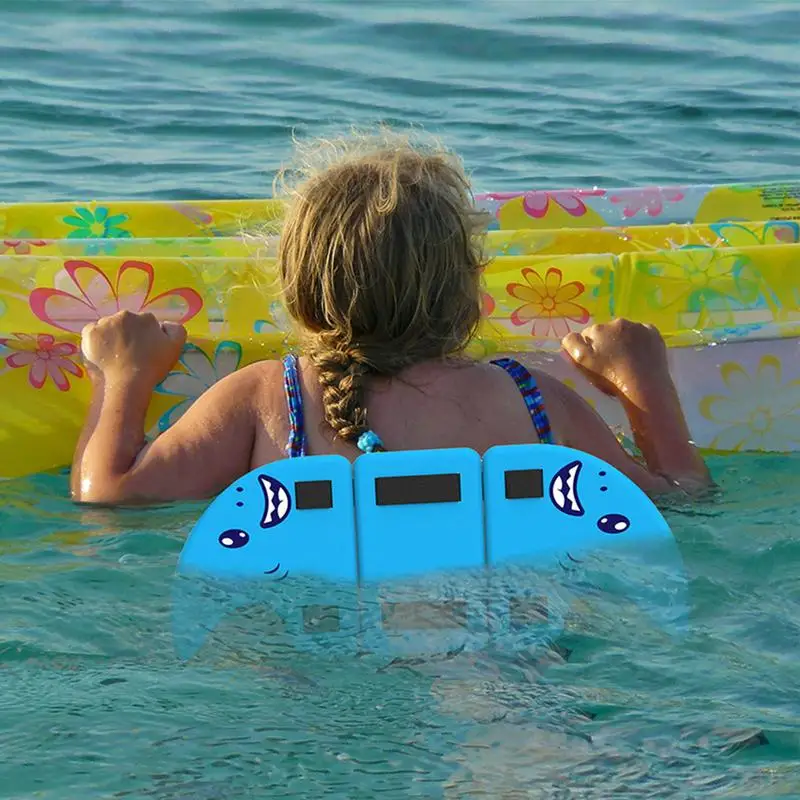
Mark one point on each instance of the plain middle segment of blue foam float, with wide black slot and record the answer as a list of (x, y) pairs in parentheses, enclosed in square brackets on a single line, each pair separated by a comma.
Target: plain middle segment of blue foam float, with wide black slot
[(419, 516)]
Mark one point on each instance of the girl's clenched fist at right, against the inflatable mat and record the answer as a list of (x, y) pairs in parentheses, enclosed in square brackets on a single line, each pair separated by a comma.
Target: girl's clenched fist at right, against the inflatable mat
[(619, 358)]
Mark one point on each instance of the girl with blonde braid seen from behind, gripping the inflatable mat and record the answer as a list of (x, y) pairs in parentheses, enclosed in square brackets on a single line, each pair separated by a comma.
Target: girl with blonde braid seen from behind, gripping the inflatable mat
[(380, 269)]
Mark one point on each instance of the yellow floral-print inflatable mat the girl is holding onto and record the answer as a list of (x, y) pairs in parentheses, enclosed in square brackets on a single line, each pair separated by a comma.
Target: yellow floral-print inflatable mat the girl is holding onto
[(723, 290)]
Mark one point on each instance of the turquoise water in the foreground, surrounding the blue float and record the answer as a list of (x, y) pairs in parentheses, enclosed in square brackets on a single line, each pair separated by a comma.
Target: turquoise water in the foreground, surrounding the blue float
[(94, 704)]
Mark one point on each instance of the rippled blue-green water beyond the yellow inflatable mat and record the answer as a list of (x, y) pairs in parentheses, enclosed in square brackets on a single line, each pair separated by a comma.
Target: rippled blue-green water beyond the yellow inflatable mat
[(144, 99)]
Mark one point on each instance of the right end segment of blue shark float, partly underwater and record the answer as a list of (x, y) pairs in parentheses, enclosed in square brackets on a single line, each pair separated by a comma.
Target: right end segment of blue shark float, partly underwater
[(551, 508)]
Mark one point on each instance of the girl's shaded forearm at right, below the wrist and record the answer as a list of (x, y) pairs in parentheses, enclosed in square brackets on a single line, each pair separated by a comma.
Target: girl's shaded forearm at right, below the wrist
[(662, 434)]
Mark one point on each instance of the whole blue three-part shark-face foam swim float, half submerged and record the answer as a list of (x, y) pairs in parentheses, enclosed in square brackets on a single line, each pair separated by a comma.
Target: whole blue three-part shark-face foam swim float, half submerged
[(416, 552)]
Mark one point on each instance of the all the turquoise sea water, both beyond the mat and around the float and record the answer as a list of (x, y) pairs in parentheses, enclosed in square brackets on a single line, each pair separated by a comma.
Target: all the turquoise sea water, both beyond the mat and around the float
[(142, 99)]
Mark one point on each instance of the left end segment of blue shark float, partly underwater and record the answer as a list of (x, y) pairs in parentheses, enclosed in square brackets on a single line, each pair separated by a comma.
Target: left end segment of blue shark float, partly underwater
[(283, 535)]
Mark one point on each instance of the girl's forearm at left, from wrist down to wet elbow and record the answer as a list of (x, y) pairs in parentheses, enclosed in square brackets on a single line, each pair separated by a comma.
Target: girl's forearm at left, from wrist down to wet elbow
[(112, 438)]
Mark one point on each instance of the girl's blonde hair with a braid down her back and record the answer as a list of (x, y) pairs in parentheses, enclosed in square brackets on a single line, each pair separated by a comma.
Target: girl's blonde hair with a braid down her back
[(379, 264)]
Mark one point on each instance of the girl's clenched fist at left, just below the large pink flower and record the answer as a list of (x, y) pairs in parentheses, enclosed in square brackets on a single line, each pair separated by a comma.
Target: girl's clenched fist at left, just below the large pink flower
[(133, 347)]
